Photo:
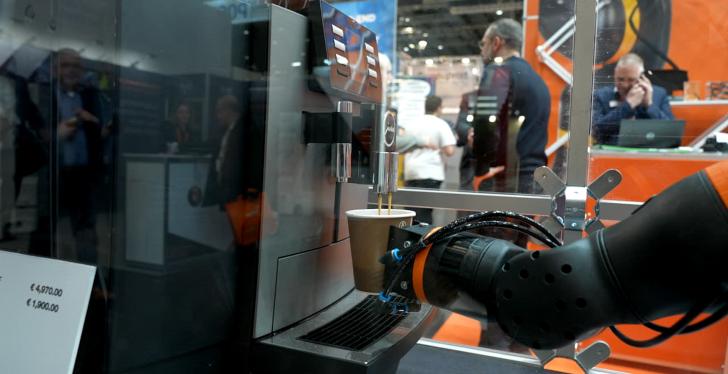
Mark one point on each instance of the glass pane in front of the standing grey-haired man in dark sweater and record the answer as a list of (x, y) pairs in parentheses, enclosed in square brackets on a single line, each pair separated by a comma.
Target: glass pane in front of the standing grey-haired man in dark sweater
[(502, 93)]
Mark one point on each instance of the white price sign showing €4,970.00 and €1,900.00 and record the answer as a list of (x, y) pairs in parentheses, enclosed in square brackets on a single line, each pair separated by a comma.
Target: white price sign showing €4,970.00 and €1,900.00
[(43, 305)]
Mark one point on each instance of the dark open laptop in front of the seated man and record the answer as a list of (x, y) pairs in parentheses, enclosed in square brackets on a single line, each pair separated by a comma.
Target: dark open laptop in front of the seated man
[(650, 133)]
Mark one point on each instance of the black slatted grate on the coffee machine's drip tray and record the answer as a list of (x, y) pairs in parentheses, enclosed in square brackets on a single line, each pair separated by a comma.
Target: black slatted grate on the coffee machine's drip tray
[(359, 327)]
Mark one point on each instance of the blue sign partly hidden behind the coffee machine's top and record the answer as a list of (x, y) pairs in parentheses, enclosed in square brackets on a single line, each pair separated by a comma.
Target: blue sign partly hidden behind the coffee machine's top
[(379, 16)]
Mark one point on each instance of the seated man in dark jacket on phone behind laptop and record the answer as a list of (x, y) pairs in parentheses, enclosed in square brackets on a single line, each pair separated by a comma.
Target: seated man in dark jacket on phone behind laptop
[(632, 96)]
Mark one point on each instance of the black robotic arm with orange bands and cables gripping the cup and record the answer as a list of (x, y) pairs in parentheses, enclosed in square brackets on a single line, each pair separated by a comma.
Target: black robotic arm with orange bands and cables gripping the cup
[(668, 258)]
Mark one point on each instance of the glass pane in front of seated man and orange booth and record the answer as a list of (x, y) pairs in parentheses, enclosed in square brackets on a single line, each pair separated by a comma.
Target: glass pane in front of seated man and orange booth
[(659, 100)]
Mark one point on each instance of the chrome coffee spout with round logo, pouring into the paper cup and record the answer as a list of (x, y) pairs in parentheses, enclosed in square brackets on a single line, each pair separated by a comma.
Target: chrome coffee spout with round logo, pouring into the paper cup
[(386, 159)]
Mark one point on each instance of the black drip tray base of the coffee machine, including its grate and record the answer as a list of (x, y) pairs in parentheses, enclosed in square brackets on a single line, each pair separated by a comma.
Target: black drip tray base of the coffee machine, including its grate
[(350, 336)]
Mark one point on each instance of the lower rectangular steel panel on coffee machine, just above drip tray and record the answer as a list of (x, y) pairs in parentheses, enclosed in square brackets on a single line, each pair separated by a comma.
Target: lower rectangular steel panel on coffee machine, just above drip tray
[(310, 281)]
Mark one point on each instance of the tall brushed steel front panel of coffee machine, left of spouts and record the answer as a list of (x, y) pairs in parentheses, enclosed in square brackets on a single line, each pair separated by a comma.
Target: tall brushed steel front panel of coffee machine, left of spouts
[(298, 184)]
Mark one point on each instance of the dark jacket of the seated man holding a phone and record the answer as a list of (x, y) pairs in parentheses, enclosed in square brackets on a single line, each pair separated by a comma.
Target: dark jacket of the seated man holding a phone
[(608, 111)]
